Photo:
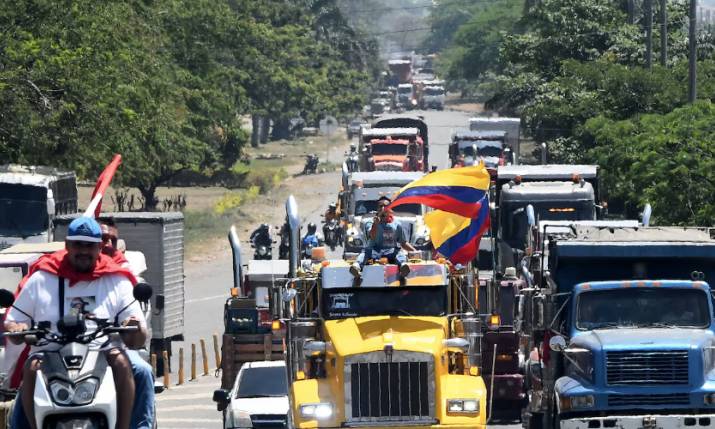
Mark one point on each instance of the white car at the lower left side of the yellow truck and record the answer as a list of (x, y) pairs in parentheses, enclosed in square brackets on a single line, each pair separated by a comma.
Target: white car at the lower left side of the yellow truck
[(258, 399)]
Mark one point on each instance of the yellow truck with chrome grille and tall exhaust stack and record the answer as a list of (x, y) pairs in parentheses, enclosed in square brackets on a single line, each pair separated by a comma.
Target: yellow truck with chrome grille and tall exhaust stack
[(385, 353)]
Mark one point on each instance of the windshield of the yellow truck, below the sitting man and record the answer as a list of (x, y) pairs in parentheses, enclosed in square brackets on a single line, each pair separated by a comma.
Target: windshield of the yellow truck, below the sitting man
[(388, 301)]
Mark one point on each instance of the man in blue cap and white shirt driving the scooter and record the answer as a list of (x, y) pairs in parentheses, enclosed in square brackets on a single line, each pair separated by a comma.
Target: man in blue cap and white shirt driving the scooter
[(80, 272)]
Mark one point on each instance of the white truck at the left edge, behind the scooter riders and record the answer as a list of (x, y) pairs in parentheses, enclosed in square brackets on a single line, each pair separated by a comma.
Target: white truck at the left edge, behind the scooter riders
[(30, 198)]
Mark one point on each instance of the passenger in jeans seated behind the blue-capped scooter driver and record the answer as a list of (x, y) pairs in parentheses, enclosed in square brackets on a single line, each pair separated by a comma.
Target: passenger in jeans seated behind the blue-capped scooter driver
[(143, 411)]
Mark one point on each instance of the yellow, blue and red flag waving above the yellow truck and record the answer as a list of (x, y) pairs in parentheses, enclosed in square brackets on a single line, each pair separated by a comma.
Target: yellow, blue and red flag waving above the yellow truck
[(460, 197)]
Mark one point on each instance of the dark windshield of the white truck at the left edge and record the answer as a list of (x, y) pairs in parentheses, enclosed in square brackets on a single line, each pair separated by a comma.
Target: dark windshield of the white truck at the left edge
[(23, 210)]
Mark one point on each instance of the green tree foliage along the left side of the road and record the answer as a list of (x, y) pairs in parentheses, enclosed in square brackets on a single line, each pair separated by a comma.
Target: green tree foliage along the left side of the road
[(165, 82)]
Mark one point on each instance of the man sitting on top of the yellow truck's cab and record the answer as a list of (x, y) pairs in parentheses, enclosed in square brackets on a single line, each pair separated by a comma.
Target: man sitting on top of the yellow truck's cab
[(385, 240)]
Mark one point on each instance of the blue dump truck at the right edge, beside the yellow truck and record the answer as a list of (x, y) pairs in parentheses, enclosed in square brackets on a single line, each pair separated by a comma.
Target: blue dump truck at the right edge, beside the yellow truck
[(618, 328)]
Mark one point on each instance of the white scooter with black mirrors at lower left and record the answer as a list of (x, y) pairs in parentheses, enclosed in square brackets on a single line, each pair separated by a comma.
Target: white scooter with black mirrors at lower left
[(75, 385)]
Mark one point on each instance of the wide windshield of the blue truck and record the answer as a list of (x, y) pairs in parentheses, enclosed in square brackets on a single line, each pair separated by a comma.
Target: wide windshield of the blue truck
[(642, 307)]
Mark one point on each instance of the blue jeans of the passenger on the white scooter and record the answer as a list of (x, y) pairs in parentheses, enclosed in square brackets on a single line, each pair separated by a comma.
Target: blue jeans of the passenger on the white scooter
[(143, 410)]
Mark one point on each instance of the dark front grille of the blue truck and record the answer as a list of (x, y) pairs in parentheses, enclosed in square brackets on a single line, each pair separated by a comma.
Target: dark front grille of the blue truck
[(656, 367)]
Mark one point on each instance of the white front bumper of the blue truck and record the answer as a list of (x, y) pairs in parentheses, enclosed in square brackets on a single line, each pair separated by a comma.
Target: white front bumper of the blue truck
[(643, 421)]
